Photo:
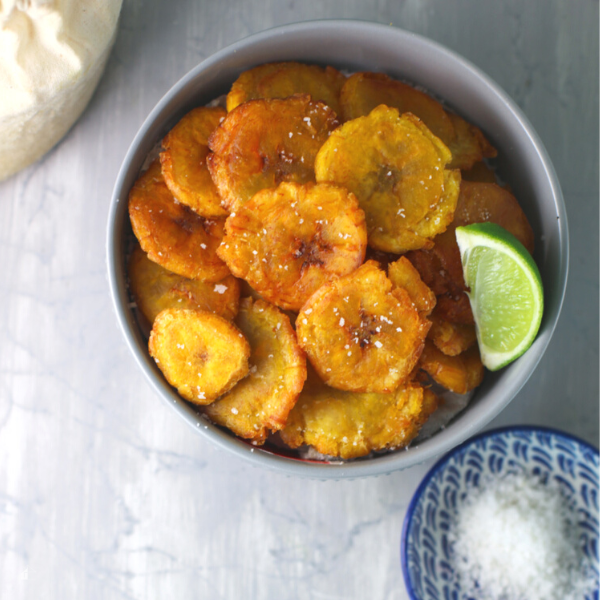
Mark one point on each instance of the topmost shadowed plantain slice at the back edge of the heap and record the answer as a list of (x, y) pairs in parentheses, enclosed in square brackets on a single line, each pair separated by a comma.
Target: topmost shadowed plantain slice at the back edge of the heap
[(281, 80)]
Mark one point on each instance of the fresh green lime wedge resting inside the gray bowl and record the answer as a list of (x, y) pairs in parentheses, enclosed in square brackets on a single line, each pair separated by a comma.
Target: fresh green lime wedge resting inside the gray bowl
[(506, 292)]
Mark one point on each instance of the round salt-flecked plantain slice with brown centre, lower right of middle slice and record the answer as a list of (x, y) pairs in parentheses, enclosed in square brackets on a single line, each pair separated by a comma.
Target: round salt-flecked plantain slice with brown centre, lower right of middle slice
[(360, 334)]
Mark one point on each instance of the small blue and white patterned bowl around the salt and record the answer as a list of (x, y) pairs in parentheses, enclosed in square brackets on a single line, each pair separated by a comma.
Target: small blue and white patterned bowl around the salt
[(427, 553)]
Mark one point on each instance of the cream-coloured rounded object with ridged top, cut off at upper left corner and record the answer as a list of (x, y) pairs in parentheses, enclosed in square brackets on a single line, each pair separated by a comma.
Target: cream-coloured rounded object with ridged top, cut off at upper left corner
[(52, 54)]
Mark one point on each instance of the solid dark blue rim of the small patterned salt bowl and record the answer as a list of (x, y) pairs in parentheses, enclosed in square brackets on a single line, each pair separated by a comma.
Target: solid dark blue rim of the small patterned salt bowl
[(443, 462)]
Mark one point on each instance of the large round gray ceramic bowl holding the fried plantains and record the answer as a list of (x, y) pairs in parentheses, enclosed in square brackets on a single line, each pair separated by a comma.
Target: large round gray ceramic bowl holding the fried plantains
[(354, 46)]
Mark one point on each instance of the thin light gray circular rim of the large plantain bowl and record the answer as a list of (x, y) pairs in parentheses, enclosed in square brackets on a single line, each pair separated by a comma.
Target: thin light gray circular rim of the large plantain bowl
[(360, 468)]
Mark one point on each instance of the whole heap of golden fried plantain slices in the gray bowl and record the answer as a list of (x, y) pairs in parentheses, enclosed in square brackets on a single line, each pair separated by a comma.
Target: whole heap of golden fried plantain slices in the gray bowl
[(330, 205)]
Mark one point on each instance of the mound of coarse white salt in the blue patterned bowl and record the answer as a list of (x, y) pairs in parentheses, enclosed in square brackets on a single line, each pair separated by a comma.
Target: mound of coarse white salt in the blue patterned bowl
[(517, 538)]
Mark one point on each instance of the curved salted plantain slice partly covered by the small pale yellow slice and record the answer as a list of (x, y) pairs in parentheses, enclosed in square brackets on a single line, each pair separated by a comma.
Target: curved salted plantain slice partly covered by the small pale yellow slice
[(261, 402)]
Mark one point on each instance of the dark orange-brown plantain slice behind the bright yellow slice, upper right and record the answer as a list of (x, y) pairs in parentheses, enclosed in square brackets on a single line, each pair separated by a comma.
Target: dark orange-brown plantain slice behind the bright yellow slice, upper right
[(362, 92)]
